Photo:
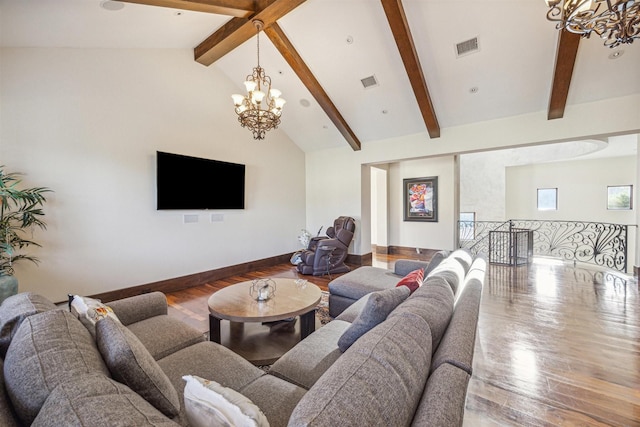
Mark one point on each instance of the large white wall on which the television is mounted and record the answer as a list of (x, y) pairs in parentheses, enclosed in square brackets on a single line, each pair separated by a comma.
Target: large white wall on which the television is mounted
[(87, 123)]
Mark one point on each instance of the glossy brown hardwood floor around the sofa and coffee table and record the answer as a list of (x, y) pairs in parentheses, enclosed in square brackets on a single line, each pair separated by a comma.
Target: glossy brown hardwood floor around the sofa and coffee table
[(556, 345)]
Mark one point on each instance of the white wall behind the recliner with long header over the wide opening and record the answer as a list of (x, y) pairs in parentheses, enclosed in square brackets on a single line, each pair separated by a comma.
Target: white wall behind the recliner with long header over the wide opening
[(333, 176)]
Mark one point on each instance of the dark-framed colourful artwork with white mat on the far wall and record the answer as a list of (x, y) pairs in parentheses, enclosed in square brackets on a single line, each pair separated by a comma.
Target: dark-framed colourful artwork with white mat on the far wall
[(421, 199)]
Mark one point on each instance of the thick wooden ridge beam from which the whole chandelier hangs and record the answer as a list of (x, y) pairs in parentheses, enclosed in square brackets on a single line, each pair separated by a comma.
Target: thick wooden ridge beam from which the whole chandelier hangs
[(239, 30)]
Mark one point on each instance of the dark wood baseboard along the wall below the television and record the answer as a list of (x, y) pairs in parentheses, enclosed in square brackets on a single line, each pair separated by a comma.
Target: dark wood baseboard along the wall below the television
[(191, 280)]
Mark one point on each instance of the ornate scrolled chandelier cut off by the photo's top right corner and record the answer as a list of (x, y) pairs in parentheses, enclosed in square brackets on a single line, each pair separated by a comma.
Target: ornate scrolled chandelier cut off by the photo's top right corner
[(615, 21)]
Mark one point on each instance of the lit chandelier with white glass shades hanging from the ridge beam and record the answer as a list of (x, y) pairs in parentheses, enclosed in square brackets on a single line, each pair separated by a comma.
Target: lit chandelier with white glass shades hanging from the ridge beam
[(260, 109)]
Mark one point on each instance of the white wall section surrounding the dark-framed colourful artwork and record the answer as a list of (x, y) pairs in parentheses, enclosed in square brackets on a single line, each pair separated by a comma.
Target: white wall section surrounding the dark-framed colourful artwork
[(430, 235)]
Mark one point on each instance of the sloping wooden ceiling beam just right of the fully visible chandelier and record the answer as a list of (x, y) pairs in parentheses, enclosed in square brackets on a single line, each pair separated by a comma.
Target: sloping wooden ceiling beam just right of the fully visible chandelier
[(290, 54)]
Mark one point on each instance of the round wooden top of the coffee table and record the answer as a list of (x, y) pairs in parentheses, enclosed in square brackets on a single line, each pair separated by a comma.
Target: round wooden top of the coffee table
[(234, 302)]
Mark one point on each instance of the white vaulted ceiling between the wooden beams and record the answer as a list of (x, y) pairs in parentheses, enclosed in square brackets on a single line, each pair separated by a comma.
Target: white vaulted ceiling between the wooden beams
[(512, 71)]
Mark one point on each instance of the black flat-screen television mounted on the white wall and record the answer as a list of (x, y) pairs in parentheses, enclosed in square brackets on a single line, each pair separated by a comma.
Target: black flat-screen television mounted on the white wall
[(185, 182)]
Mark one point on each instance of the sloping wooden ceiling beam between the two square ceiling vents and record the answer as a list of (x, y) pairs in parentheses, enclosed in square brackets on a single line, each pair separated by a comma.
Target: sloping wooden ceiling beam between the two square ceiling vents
[(401, 33)]
